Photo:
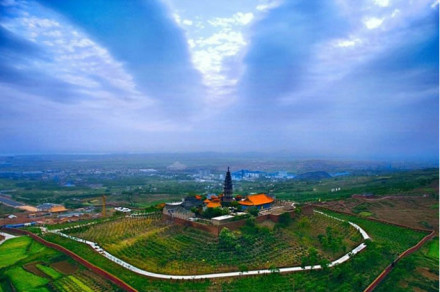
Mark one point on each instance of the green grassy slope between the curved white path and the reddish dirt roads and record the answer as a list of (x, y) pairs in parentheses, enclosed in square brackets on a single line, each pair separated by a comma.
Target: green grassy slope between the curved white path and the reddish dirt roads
[(354, 275)]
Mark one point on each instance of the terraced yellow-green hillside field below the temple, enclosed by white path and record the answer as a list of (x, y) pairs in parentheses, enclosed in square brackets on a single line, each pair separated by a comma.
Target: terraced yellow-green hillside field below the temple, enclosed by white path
[(156, 246)]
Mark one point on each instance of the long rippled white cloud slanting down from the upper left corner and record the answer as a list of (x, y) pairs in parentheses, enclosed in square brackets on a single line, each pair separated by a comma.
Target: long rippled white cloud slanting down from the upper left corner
[(73, 57)]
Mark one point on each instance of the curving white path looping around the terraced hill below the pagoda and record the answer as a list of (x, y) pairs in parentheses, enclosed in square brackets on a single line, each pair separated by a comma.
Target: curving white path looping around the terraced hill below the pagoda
[(130, 267)]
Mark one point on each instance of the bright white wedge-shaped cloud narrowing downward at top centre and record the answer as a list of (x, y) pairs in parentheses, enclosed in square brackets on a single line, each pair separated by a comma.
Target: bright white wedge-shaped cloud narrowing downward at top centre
[(210, 42)]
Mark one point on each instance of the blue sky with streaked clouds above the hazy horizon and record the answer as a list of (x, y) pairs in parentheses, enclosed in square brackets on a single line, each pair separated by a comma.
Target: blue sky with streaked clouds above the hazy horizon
[(336, 79)]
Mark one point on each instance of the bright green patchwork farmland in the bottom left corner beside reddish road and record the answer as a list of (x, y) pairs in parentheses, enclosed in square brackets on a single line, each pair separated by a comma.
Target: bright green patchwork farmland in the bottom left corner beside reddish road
[(26, 265)]
